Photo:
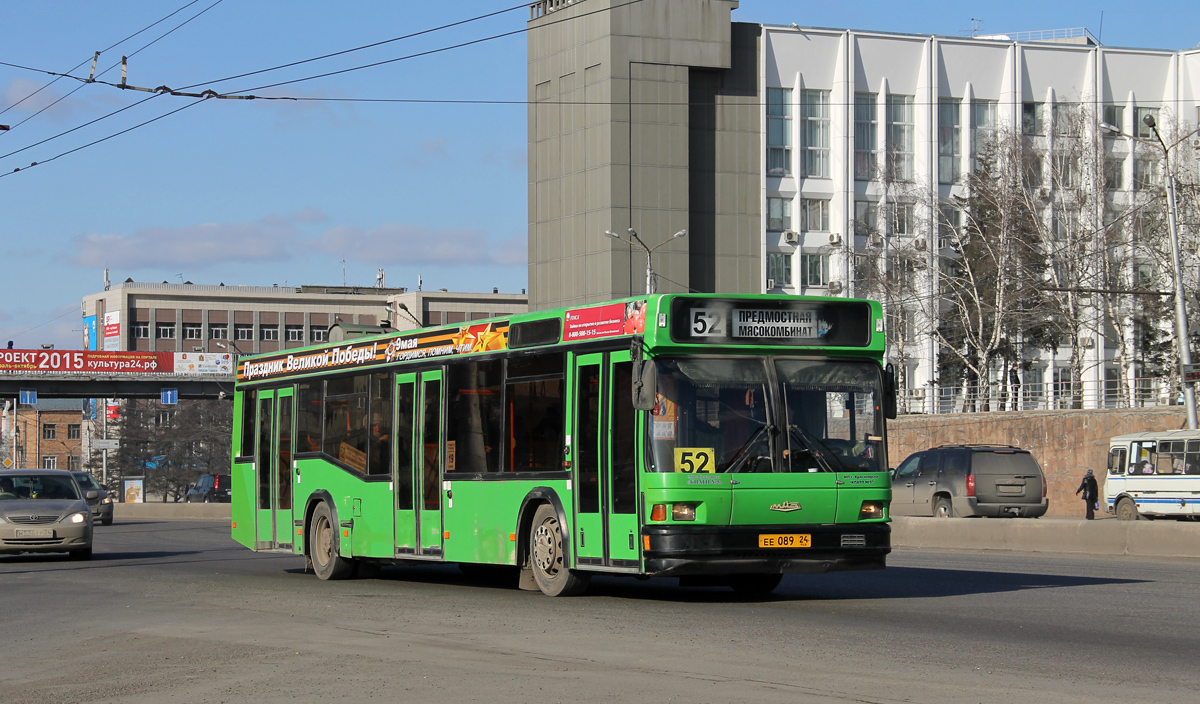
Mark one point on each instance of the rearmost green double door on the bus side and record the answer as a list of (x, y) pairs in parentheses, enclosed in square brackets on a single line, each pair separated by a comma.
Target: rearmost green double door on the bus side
[(274, 467)]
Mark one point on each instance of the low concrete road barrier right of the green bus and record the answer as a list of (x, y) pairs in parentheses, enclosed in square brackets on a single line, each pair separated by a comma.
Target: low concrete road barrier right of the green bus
[(1145, 539)]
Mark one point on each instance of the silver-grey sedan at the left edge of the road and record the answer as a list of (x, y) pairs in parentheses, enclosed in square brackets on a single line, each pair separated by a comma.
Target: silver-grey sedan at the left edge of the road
[(44, 512)]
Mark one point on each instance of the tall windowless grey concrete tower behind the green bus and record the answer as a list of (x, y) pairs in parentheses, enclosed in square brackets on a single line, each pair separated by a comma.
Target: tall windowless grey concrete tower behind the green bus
[(643, 116)]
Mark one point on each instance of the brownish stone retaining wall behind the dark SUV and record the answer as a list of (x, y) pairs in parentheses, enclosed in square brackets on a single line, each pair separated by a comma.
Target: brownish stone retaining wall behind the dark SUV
[(1067, 443)]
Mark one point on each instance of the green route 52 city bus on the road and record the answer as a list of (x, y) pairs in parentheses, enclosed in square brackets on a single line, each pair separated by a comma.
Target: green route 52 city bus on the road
[(721, 440)]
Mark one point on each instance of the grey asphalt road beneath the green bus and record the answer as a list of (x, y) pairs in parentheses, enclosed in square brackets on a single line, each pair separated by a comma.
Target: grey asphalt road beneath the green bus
[(177, 612)]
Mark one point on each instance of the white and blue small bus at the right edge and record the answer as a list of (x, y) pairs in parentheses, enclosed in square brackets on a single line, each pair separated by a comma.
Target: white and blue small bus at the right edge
[(1154, 476)]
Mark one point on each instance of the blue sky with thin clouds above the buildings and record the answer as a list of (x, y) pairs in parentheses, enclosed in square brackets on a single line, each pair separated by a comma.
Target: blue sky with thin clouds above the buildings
[(262, 192)]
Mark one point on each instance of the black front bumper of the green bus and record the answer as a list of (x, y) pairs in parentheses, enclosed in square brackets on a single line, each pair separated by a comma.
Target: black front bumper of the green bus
[(677, 551)]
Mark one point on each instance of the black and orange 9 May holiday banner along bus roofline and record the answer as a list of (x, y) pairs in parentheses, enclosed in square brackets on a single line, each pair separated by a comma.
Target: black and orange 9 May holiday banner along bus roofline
[(422, 346)]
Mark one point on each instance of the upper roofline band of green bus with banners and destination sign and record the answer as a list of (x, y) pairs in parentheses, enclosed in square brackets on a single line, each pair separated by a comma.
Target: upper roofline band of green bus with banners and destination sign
[(669, 323)]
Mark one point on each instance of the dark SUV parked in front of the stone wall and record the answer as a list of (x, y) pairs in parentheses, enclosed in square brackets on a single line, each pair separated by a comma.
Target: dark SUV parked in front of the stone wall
[(970, 480)]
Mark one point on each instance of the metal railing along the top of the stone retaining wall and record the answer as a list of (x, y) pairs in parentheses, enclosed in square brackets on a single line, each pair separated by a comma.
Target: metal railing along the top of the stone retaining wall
[(1144, 393)]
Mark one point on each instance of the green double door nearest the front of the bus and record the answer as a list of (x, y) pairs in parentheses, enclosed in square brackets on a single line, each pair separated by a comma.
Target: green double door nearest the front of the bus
[(605, 462)]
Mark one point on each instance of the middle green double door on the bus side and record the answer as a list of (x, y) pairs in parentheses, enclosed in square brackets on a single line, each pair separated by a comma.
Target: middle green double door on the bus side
[(419, 465)]
